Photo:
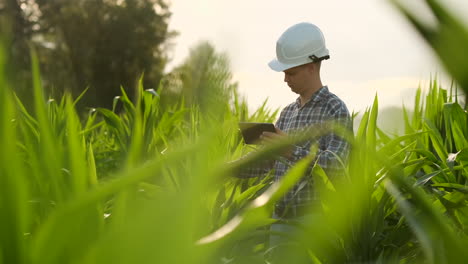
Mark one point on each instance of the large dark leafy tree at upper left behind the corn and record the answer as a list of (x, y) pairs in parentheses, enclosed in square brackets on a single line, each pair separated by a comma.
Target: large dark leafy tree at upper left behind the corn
[(100, 44)]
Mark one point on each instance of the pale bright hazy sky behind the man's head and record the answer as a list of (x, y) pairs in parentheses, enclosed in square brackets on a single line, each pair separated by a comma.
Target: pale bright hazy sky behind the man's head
[(373, 49)]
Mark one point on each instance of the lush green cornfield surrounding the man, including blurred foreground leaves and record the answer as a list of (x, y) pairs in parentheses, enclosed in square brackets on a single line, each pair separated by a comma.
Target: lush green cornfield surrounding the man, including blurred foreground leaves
[(147, 182)]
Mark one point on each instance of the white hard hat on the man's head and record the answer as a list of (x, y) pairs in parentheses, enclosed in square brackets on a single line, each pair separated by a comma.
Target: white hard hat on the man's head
[(300, 44)]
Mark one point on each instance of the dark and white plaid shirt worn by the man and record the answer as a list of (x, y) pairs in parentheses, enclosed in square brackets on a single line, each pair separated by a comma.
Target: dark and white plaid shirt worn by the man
[(322, 107)]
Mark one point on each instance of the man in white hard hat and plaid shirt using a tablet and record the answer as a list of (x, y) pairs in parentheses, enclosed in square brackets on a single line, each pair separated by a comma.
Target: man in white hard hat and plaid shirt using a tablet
[(300, 51)]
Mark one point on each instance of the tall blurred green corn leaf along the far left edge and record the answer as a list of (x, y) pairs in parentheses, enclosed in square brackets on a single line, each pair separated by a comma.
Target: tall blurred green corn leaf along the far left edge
[(15, 217)]
